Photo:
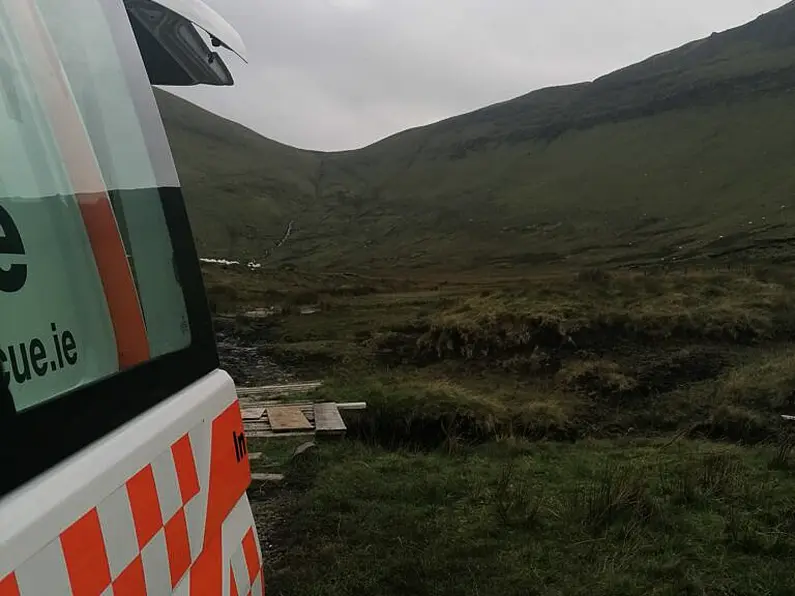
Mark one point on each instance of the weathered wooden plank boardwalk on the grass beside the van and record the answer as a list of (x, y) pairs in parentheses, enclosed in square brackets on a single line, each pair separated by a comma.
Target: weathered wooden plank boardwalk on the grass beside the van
[(272, 411)]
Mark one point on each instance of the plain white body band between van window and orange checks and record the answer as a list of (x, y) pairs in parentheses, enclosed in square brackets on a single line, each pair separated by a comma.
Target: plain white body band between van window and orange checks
[(31, 516)]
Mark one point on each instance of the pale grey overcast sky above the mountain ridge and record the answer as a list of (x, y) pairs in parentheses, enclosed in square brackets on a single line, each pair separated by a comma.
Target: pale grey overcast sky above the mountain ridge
[(340, 74)]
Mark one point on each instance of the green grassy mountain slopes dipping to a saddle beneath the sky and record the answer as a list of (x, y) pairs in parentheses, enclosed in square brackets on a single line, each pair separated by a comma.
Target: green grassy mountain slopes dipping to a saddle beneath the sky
[(683, 156)]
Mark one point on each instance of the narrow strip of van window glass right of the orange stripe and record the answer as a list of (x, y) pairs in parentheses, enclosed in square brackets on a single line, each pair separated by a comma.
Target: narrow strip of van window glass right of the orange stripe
[(98, 75)]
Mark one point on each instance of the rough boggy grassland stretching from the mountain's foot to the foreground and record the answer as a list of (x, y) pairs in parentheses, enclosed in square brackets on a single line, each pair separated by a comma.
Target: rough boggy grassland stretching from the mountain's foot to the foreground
[(601, 432)]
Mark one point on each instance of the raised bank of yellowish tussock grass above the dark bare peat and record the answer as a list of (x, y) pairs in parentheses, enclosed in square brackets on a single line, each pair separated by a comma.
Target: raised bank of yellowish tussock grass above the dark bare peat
[(618, 308)]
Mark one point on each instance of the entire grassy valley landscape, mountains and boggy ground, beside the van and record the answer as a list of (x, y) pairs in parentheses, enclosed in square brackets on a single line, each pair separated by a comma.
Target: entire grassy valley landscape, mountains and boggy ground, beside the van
[(570, 314)]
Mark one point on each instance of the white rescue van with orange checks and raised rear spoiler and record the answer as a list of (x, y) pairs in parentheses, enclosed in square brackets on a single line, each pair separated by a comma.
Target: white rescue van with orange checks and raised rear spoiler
[(123, 466)]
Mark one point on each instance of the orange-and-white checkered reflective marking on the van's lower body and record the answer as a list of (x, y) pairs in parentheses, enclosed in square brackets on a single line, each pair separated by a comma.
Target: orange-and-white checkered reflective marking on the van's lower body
[(128, 545)]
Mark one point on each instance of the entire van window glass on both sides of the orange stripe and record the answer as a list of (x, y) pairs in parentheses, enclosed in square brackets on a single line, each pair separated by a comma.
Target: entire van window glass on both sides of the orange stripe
[(57, 331)]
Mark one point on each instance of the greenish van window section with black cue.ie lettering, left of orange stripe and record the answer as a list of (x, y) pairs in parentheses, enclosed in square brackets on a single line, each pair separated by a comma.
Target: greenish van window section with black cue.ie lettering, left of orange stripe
[(55, 331)]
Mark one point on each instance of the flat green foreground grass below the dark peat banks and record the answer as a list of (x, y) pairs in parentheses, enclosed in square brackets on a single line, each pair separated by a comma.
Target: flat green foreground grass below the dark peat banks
[(514, 518)]
